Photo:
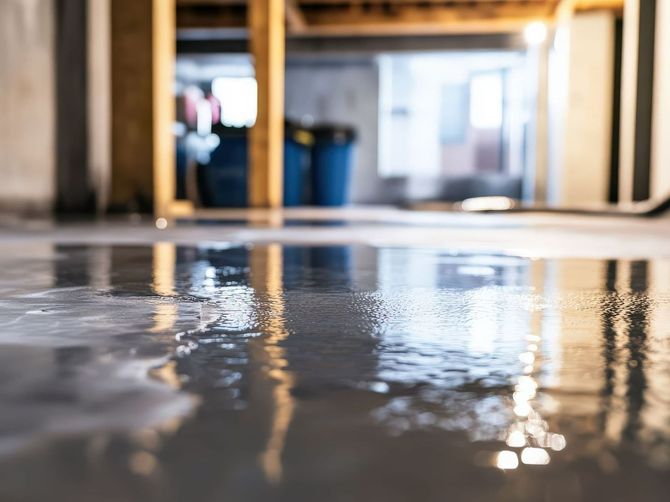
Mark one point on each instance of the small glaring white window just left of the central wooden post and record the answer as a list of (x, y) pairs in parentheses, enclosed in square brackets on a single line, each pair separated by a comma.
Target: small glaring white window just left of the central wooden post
[(238, 98)]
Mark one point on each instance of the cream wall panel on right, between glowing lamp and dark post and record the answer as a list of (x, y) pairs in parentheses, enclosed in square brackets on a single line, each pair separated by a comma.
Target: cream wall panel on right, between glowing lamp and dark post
[(584, 169)]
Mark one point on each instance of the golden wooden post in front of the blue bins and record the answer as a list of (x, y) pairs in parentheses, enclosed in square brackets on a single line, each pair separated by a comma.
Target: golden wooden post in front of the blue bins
[(266, 141)]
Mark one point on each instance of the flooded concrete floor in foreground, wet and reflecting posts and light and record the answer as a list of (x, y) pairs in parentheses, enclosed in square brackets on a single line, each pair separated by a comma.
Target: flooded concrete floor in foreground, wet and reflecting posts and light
[(165, 371)]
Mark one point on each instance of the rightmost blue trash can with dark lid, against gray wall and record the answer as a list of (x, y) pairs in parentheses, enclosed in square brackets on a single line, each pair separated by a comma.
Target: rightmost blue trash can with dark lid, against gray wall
[(331, 164)]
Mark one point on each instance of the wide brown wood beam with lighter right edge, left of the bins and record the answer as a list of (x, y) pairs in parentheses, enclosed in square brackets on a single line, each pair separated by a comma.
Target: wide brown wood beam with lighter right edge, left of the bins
[(143, 50)]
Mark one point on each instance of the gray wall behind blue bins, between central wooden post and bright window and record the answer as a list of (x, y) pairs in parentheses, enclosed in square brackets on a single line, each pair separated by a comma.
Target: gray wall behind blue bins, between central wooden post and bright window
[(347, 92)]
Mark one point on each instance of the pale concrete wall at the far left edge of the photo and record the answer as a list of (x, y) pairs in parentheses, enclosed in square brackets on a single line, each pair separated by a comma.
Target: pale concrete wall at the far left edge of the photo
[(27, 165)]
